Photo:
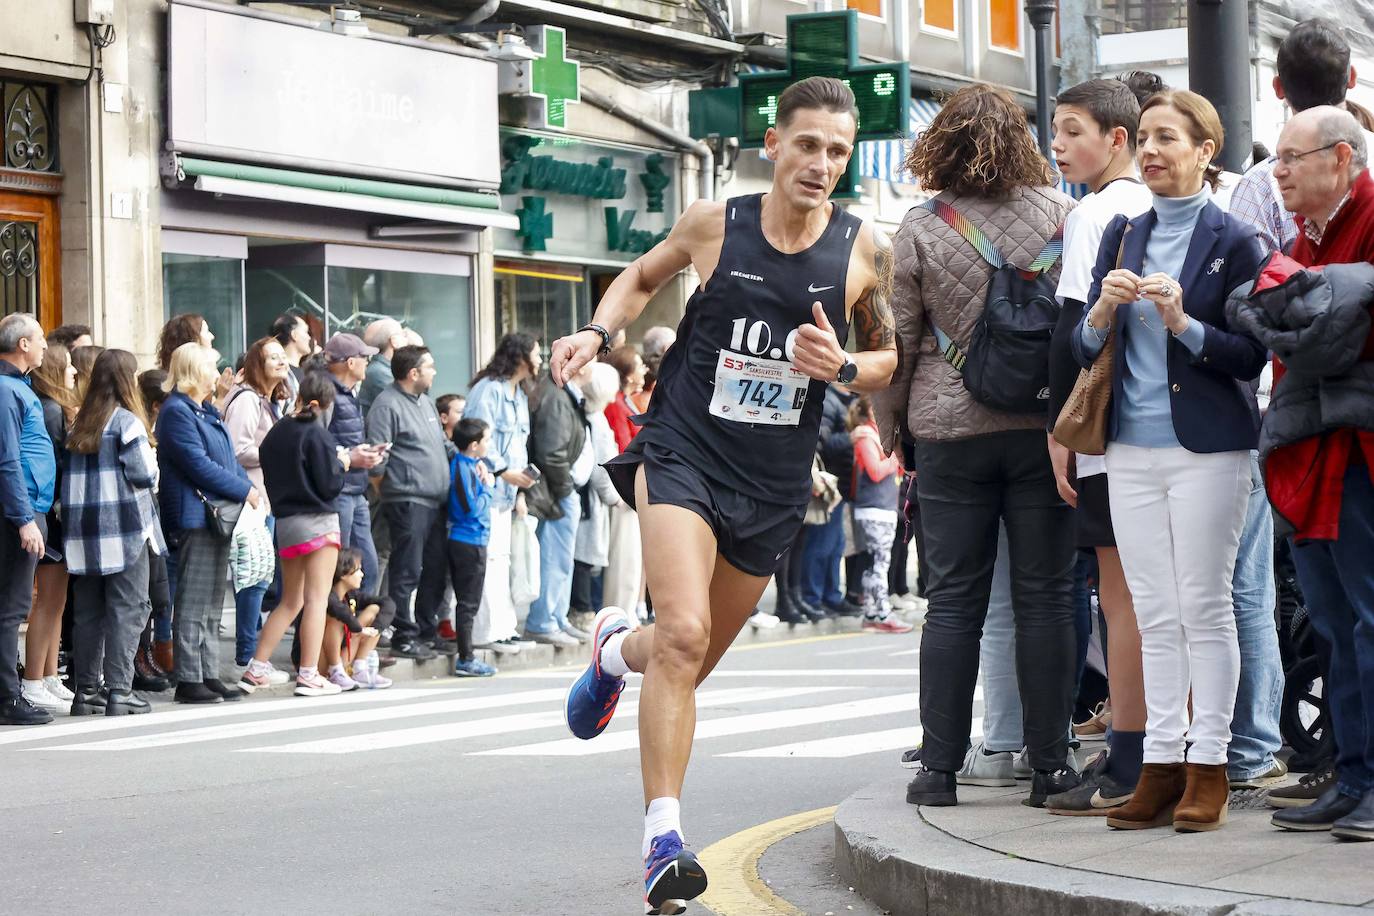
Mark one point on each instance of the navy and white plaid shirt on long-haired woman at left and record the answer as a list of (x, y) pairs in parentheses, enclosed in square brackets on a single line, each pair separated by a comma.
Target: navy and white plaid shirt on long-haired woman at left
[(109, 507)]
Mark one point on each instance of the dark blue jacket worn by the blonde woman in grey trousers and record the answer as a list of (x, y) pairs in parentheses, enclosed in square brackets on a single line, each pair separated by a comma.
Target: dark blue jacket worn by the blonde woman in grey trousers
[(194, 454)]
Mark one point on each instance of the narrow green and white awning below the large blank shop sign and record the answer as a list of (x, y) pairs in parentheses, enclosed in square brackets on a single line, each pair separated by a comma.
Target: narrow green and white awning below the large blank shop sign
[(414, 203)]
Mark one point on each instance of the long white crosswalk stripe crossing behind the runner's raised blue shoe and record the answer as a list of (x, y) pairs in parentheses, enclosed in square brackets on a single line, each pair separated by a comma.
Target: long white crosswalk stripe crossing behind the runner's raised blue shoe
[(512, 724)]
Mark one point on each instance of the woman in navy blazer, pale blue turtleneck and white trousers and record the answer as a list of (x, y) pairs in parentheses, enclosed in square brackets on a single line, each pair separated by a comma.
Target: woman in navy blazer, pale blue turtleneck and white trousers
[(1182, 426)]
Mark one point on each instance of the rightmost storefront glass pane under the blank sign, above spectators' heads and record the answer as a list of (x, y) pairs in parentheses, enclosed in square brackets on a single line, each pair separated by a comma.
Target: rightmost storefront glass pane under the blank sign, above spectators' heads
[(436, 307)]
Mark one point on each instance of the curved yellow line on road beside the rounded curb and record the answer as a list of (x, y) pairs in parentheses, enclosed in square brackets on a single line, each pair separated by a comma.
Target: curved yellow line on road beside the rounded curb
[(733, 867)]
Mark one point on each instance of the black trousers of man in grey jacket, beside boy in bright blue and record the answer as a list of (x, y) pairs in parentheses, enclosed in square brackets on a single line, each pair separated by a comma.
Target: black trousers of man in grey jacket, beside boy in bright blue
[(418, 538)]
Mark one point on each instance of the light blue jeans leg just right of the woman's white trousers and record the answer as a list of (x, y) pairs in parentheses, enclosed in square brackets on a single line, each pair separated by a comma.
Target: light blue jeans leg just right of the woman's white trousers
[(1255, 727)]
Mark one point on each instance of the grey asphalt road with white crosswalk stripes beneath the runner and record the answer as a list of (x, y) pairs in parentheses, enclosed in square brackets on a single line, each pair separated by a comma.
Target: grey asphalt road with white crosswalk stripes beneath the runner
[(444, 797)]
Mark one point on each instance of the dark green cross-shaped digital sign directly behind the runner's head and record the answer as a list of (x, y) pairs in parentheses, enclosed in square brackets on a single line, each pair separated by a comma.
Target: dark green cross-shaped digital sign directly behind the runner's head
[(826, 45)]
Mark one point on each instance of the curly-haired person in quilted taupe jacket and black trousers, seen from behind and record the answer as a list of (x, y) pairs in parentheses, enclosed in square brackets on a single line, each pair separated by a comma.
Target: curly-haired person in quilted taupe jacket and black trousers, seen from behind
[(979, 468)]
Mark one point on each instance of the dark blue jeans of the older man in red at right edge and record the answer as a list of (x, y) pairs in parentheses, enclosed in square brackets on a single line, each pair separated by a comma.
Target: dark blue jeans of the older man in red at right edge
[(1340, 597)]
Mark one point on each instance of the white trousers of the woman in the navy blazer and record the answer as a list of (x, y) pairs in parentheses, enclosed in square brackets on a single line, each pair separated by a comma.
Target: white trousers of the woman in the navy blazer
[(1178, 518)]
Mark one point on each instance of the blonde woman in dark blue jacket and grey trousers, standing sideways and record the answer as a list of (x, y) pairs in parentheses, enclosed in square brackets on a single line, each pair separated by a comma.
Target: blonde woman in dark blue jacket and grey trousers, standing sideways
[(196, 459)]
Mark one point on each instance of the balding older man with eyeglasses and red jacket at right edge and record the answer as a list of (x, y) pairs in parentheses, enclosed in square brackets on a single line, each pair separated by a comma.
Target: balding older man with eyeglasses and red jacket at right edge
[(1324, 484)]
